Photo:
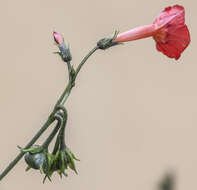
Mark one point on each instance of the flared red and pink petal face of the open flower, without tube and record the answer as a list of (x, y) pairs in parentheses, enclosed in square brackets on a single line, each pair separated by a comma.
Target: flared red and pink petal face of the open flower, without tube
[(174, 36)]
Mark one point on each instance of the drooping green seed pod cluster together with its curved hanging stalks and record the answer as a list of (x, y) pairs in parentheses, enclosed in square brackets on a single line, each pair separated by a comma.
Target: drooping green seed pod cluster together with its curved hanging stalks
[(39, 158)]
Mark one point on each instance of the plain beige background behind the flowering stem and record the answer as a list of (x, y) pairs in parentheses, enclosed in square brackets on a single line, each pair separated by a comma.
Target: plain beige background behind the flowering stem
[(133, 112)]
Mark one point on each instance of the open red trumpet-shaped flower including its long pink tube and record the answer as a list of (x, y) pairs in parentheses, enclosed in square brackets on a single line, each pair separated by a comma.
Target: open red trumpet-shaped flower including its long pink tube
[(168, 30)]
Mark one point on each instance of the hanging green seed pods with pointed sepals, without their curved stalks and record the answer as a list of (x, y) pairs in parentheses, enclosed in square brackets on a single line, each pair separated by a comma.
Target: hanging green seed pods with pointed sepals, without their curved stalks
[(49, 163)]
